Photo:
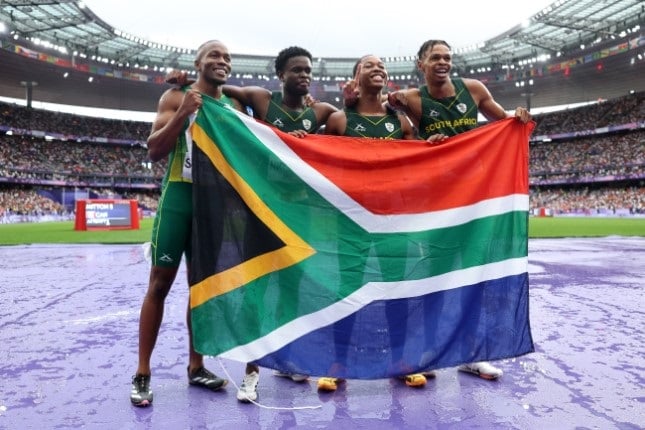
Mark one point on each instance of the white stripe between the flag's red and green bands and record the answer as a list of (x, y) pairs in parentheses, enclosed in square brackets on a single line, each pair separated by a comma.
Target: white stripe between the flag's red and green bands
[(375, 223)]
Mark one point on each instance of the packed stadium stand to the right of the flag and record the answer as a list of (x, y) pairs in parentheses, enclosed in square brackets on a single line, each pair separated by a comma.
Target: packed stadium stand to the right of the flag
[(590, 160)]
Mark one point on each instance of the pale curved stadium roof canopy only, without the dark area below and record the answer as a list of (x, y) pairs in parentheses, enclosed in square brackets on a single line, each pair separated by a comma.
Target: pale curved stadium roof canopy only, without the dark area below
[(561, 28)]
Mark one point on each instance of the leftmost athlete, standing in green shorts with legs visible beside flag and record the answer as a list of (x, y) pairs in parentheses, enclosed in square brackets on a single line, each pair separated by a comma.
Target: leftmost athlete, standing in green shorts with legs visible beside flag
[(172, 224)]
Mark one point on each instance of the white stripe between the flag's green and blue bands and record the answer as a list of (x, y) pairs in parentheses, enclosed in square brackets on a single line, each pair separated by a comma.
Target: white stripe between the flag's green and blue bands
[(371, 292)]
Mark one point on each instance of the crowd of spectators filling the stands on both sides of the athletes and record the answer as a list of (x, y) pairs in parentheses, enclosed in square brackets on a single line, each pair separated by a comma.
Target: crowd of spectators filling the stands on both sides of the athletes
[(573, 175)]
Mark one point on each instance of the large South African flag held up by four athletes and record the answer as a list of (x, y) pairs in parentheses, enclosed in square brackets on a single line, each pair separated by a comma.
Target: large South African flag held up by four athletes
[(358, 258)]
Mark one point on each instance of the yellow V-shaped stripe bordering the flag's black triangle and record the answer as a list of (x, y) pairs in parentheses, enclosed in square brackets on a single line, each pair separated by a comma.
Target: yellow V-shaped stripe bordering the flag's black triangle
[(294, 251)]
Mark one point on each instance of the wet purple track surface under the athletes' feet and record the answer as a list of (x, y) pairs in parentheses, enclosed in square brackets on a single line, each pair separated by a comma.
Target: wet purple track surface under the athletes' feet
[(68, 342)]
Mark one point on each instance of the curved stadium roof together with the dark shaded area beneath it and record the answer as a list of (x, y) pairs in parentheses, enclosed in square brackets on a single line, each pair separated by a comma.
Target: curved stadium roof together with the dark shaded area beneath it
[(574, 51)]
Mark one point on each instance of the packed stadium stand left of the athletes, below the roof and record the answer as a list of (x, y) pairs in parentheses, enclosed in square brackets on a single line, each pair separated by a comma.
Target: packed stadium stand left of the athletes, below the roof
[(48, 159)]
